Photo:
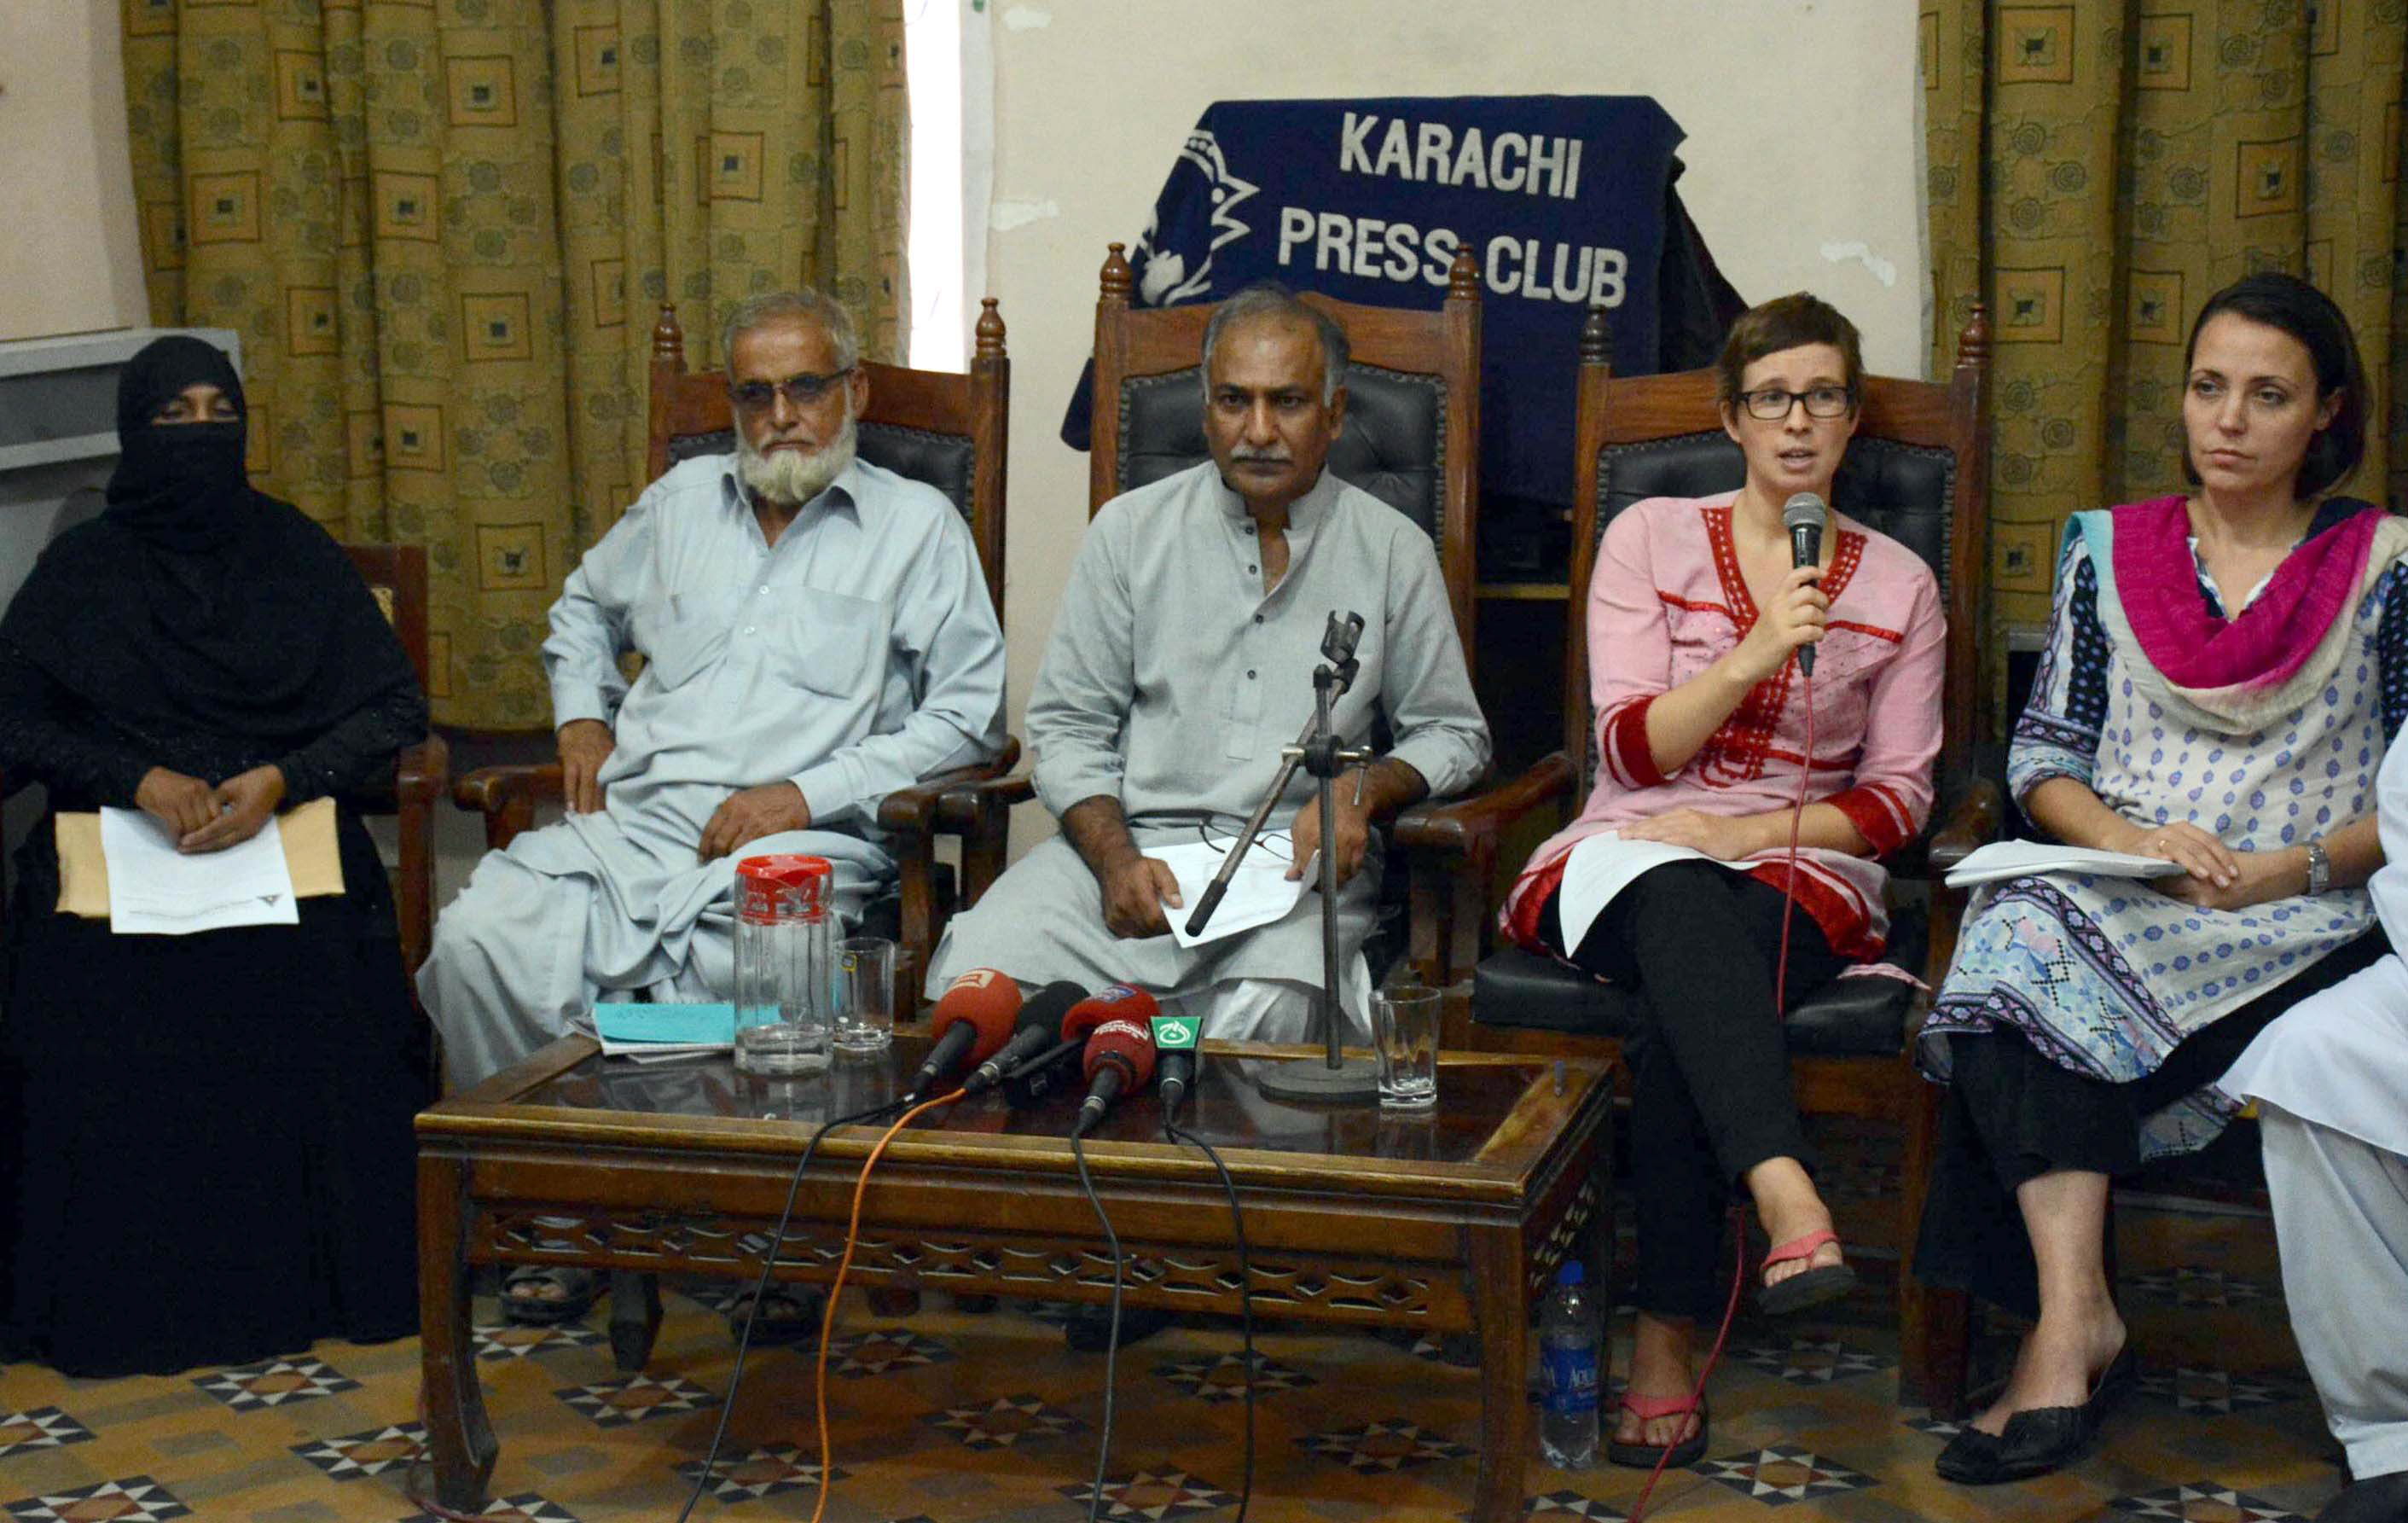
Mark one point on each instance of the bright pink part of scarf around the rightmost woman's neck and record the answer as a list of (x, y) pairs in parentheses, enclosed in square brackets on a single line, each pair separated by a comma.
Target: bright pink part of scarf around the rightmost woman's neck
[(2272, 640)]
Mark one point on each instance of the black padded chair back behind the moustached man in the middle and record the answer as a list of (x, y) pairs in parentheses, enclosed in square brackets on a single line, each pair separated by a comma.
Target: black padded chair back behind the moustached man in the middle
[(1393, 445)]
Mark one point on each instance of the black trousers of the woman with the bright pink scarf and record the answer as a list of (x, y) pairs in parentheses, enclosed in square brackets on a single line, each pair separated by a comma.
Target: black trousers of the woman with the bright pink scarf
[(2012, 1117)]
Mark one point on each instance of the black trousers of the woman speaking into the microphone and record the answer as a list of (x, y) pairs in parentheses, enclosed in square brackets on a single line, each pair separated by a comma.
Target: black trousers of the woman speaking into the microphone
[(1711, 1093)]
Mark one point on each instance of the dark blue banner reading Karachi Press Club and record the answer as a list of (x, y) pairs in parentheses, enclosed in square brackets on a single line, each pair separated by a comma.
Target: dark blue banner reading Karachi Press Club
[(1564, 204)]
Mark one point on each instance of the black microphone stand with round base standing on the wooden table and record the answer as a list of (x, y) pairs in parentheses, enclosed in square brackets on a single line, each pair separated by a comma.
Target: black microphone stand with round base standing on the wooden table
[(1318, 753)]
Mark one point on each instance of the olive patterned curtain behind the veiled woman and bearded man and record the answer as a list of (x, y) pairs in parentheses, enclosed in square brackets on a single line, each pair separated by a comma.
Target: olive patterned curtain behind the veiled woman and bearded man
[(444, 228)]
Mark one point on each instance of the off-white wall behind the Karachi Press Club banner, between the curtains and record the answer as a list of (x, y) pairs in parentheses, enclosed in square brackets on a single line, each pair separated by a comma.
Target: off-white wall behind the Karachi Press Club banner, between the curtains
[(1805, 167)]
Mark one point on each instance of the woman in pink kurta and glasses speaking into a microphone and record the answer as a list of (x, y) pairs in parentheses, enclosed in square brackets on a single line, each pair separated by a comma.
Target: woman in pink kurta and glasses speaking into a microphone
[(1706, 753)]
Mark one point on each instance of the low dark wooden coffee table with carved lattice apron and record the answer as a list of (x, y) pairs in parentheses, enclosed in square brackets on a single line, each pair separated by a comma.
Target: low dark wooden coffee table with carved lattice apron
[(1444, 1225)]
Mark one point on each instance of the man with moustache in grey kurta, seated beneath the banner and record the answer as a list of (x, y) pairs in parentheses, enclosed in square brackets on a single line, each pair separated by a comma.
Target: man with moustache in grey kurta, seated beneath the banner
[(1181, 664)]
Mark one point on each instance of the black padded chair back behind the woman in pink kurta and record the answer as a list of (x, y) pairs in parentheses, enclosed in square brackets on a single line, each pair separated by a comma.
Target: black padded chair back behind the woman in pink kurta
[(1904, 490)]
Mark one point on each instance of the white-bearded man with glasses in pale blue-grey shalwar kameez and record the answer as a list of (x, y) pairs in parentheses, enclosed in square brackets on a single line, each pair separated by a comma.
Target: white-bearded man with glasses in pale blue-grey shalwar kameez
[(818, 635)]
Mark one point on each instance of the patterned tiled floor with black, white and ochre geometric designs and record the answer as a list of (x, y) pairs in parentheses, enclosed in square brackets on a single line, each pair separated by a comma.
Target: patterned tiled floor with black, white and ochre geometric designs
[(952, 1418)]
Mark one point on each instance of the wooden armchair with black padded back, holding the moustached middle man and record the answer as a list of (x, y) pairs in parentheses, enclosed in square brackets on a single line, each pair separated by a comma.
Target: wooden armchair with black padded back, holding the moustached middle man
[(1412, 423)]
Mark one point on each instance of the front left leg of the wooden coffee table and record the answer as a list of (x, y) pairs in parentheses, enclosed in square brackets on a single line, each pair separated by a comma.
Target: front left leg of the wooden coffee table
[(459, 1437)]
